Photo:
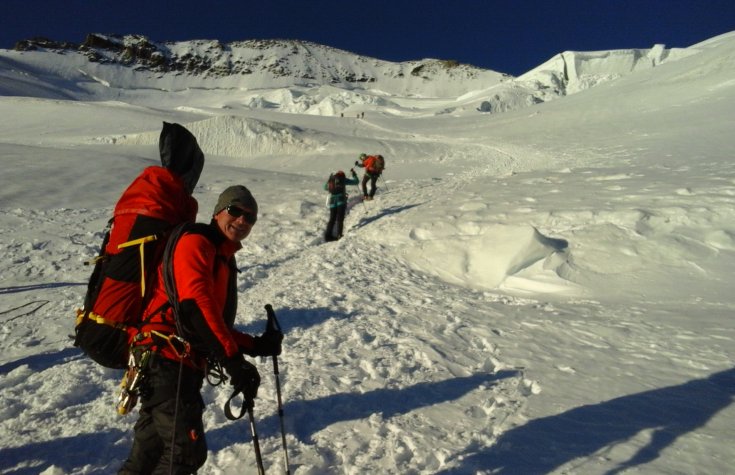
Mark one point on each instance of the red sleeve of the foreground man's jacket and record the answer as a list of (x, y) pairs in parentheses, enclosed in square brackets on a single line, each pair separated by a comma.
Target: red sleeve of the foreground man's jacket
[(196, 280)]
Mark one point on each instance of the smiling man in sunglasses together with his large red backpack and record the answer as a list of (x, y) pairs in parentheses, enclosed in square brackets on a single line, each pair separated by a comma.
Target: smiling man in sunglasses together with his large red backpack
[(161, 303)]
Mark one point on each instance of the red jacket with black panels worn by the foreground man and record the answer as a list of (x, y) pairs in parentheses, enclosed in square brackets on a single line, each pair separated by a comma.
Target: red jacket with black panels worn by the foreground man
[(205, 275)]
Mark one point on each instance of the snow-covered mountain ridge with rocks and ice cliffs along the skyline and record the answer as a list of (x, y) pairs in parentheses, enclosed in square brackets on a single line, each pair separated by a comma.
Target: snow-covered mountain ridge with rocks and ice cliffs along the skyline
[(316, 79)]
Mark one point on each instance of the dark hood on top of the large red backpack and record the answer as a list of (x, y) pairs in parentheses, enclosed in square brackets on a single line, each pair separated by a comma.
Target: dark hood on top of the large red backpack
[(181, 154)]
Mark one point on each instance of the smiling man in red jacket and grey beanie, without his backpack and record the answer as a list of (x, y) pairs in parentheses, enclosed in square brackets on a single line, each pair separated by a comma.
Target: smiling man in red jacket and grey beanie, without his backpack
[(188, 329)]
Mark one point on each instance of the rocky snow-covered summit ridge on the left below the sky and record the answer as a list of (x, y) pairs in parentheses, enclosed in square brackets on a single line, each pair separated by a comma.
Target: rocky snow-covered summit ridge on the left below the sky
[(259, 63)]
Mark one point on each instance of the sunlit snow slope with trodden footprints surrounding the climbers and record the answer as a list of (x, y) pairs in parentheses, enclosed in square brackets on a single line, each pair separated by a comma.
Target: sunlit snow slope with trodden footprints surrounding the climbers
[(545, 290)]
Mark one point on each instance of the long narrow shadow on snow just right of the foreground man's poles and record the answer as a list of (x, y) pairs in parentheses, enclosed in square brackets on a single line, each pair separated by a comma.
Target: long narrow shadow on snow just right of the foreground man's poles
[(305, 418)]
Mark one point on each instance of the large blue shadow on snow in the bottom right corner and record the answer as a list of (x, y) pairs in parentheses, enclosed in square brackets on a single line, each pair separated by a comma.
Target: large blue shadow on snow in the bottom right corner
[(543, 445)]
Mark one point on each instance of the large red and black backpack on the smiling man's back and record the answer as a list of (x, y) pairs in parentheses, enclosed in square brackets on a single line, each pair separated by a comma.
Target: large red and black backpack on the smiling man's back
[(155, 202)]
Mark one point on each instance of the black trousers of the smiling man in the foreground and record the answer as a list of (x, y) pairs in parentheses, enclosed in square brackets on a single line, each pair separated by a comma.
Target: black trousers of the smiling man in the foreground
[(169, 434)]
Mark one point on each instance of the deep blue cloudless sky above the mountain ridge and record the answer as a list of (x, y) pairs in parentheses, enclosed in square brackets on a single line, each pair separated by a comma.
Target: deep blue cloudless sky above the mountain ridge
[(509, 36)]
